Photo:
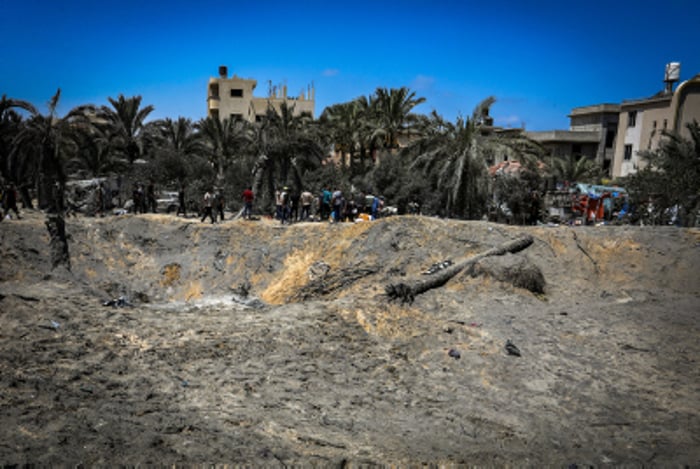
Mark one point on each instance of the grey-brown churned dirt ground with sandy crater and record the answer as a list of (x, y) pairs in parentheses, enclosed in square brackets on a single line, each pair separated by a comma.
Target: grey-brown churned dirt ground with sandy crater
[(249, 342)]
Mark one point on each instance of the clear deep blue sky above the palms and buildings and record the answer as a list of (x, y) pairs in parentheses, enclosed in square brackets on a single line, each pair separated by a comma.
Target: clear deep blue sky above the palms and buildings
[(538, 58)]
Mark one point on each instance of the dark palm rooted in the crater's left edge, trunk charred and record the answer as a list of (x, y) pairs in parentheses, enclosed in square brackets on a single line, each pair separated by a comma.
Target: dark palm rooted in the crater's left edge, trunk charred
[(52, 139)]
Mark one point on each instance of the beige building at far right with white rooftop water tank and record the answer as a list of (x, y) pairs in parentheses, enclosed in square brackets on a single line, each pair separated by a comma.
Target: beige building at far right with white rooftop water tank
[(643, 122)]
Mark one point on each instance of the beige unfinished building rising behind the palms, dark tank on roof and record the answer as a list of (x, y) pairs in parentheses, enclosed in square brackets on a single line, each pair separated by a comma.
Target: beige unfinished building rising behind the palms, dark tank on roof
[(233, 98)]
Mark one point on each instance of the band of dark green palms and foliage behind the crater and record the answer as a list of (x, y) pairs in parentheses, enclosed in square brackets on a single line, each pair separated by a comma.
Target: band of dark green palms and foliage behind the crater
[(374, 144)]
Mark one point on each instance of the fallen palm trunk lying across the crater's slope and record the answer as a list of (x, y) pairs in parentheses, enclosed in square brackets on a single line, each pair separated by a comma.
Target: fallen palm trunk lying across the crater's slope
[(407, 291)]
